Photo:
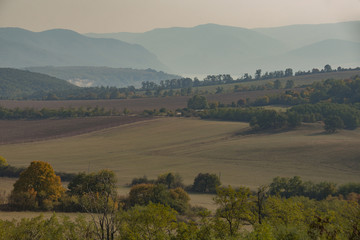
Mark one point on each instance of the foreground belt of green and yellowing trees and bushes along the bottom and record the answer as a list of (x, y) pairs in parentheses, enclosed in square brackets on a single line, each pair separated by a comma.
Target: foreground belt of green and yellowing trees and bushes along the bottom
[(287, 208)]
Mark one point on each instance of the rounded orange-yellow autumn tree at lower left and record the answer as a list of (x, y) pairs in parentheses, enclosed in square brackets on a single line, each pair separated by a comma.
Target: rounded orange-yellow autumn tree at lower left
[(37, 186)]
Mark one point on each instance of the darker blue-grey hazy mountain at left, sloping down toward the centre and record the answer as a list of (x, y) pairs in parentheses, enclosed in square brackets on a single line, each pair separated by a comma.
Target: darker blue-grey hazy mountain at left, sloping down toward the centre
[(58, 47)]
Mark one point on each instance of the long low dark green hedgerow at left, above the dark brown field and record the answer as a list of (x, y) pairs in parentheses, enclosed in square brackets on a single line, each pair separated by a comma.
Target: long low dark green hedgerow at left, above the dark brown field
[(44, 113)]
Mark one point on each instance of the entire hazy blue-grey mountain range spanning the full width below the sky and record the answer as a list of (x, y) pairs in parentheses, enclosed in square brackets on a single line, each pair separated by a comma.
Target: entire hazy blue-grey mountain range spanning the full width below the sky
[(204, 49)]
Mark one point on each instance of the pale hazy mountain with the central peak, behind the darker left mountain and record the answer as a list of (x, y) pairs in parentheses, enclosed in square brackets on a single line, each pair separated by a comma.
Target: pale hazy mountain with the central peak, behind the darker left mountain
[(206, 48)]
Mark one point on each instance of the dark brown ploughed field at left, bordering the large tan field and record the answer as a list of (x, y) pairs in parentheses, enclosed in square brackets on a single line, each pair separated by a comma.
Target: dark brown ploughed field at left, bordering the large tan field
[(19, 131)]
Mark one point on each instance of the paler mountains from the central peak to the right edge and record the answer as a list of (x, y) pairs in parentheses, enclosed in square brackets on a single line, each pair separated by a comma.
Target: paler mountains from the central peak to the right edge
[(214, 49)]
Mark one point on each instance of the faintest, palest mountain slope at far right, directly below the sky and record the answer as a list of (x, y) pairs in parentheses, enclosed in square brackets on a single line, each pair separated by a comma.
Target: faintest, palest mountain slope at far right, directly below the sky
[(296, 36)]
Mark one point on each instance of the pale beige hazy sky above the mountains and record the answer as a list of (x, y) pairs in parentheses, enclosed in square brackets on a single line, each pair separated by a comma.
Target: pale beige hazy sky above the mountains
[(142, 15)]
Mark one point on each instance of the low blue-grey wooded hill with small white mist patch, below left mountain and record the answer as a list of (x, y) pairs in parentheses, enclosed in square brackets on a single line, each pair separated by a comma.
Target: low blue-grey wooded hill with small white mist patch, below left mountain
[(104, 76)]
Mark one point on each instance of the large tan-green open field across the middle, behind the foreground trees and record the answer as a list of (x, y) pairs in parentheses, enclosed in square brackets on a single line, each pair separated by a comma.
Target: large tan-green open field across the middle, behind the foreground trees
[(191, 146)]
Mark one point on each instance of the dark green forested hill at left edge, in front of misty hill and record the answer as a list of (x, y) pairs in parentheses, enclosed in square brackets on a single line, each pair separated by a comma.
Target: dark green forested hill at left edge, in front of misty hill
[(15, 83)]
